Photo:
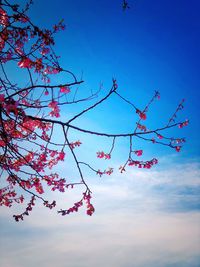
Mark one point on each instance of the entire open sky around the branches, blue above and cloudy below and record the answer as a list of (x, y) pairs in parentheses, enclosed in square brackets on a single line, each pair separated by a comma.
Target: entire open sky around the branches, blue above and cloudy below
[(142, 218)]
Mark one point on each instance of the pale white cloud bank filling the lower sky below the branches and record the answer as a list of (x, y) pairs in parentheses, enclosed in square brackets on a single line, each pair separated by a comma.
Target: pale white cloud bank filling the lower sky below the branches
[(131, 225)]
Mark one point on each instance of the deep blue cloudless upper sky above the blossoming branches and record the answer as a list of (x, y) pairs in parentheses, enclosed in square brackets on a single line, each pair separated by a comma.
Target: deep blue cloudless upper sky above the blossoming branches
[(154, 45)]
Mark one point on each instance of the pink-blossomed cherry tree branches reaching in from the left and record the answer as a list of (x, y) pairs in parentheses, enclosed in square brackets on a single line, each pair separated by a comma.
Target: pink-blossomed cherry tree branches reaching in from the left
[(35, 136)]
